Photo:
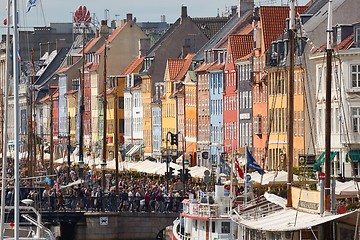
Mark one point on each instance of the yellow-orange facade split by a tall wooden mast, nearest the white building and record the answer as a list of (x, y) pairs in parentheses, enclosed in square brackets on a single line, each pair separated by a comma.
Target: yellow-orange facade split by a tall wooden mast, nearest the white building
[(278, 80)]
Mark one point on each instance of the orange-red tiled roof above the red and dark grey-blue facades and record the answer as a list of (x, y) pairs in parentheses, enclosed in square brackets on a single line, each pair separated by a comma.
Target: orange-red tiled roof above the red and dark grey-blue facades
[(241, 45)]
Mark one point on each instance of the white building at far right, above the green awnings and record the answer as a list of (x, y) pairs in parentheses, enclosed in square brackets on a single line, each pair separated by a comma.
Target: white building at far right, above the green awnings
[(345, 101)]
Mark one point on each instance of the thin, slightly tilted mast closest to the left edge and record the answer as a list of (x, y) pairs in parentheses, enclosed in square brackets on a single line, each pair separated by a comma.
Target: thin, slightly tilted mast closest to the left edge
[(5, 122)]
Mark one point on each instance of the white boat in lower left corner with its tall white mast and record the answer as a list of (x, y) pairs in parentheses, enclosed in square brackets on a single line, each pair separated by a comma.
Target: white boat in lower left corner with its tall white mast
[(32, 228)]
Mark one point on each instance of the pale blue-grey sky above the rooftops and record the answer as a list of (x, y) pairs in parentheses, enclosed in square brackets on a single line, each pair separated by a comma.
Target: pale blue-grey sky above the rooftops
[(144, 10)]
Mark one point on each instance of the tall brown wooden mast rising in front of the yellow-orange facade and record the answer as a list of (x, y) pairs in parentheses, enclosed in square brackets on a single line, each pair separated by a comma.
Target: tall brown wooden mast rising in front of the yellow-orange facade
[(290, 131)]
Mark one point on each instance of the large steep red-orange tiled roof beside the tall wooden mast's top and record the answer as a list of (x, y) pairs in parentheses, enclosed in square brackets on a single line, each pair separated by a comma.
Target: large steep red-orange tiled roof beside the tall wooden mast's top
[(273, 21)]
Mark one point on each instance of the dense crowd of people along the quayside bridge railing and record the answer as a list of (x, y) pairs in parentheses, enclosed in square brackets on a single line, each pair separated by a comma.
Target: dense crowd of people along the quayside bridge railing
[(135, 192)]
